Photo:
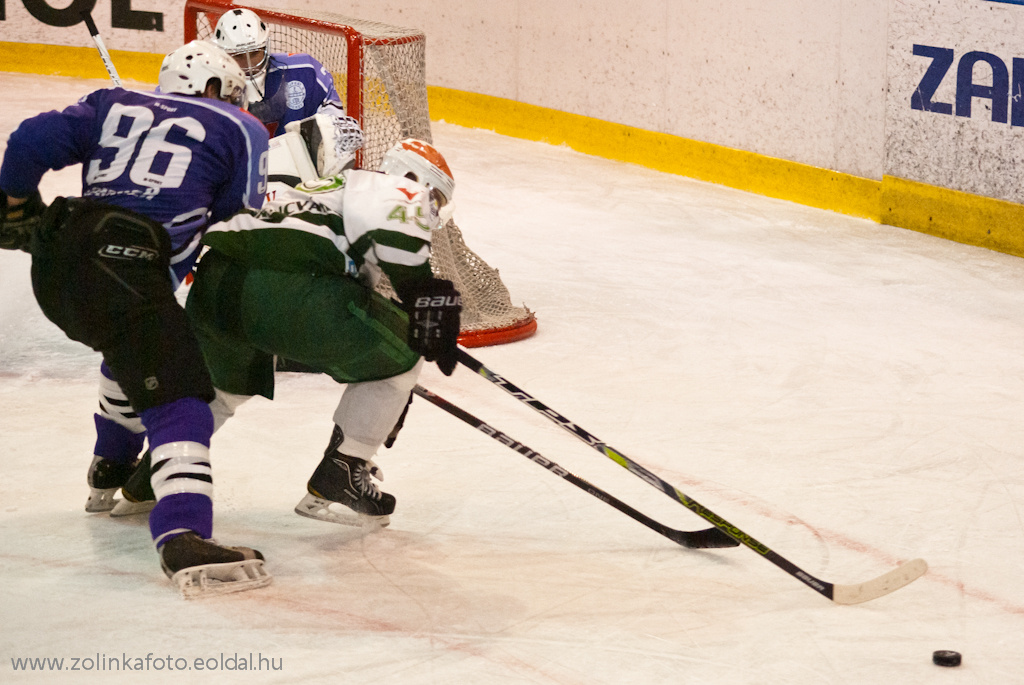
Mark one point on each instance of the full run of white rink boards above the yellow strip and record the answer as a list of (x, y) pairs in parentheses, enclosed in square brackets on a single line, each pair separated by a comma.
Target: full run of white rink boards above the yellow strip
[(801, 80)]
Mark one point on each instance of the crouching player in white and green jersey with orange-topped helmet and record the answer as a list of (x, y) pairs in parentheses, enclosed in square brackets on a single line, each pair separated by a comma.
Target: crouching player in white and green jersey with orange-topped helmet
[(296, 280)]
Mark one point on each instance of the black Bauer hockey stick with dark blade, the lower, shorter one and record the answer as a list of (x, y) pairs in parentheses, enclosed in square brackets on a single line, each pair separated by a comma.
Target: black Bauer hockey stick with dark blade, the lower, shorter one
[(697, 540)]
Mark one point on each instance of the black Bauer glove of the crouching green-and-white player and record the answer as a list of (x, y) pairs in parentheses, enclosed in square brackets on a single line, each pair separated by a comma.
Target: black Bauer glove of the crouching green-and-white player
[(434, 308)]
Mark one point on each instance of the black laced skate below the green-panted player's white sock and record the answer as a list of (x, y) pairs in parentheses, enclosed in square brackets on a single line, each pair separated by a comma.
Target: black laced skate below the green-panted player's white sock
[(342, 491)]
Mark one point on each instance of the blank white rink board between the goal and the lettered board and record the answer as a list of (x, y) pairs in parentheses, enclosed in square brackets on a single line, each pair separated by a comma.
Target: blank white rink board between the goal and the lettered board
[(801, 80)]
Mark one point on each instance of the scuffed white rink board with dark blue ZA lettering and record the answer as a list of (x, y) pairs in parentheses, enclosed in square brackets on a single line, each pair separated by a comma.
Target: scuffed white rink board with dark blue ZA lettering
[(974, 154)]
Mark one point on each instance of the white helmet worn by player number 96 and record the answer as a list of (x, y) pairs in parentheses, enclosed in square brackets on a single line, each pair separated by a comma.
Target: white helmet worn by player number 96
[(188, 70)]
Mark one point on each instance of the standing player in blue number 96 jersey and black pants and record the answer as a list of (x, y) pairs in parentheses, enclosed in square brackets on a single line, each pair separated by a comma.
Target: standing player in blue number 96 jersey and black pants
[(157, 170)]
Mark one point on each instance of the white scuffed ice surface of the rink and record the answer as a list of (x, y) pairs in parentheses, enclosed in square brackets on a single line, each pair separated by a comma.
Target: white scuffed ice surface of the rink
[(850, 395)]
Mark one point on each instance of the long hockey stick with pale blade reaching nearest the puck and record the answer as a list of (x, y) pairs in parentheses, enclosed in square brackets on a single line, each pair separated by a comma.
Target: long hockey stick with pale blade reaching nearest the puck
[(841, 594)]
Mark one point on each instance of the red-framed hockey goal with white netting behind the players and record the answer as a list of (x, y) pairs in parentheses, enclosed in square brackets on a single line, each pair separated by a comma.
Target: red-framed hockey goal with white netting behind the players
[(379, 72)]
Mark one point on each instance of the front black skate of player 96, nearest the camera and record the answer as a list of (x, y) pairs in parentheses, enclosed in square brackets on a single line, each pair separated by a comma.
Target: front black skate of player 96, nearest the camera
[(203, 568)]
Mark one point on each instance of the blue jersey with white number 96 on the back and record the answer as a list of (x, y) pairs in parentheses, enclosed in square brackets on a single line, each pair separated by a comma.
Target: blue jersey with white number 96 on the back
[(184, 162)]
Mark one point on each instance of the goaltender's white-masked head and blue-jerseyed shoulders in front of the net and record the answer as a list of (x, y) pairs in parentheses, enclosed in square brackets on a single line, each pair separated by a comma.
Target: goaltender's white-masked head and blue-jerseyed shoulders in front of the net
[(283, 89)]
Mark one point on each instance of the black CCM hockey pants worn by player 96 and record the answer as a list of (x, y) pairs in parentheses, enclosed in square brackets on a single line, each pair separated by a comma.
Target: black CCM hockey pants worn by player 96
[(102, 274)]
